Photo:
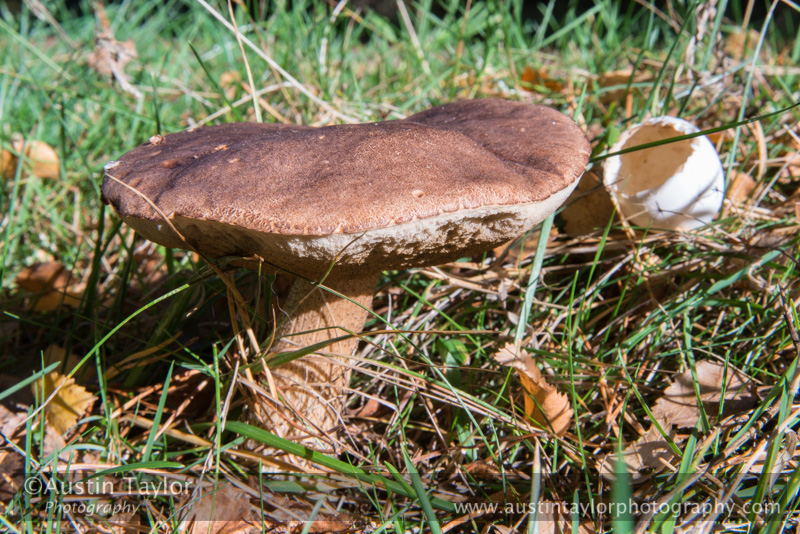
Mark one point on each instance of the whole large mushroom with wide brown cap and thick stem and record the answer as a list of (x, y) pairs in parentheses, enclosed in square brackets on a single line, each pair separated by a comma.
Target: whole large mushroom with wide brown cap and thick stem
[(339, 205)]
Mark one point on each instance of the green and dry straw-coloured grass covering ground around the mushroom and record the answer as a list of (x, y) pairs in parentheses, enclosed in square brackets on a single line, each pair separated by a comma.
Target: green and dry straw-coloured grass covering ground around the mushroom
[(613, 315)]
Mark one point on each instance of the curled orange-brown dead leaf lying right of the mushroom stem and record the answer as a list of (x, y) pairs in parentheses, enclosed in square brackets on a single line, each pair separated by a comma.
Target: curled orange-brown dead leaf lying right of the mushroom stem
[(543, 402)]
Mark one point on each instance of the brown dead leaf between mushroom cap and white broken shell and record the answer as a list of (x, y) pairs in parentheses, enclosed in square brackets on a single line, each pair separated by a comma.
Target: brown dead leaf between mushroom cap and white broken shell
[(588, 208)]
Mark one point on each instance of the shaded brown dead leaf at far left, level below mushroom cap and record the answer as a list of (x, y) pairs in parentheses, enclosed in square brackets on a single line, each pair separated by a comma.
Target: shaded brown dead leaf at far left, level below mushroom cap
[(50, 283)]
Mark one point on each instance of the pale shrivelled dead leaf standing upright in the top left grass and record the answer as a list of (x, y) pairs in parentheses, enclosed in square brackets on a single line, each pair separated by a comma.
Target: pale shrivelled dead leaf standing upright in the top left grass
[(110, 56)]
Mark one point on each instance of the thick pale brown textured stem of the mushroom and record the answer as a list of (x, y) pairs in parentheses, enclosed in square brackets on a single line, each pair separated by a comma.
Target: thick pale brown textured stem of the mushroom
[(311, 386)]
